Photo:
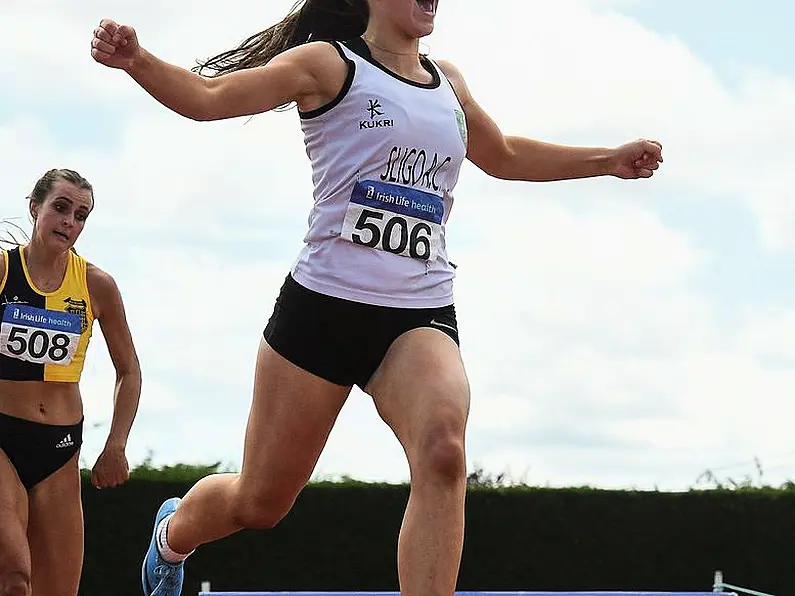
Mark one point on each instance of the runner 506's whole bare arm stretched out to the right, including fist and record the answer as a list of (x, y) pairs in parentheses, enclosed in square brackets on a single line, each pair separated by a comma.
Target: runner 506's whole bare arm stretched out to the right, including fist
[(520, 158)]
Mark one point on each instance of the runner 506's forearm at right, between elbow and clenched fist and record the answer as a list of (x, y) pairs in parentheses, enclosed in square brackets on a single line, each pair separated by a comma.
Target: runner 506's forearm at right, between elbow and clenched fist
[(537, 161)]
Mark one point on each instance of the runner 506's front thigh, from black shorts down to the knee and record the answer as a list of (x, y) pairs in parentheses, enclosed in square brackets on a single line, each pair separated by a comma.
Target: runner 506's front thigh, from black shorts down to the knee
[(421, 388)]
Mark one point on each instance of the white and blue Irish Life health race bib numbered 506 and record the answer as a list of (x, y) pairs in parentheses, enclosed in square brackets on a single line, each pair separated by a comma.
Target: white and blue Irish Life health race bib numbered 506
[(403, 221)]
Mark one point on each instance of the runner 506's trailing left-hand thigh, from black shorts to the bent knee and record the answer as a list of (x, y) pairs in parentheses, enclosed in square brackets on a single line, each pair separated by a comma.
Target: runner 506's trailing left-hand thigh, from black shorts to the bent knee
[(292, 414)]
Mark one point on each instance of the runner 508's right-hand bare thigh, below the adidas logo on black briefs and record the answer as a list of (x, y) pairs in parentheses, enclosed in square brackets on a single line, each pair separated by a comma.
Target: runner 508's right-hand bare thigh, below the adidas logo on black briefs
[(55, 532)]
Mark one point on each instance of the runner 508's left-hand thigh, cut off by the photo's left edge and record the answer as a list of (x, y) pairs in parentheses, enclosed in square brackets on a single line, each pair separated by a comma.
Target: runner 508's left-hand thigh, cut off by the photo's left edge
[(14, 551)]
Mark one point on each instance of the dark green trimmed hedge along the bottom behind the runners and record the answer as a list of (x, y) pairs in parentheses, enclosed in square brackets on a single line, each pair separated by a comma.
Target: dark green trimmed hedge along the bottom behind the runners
[(342, 536)]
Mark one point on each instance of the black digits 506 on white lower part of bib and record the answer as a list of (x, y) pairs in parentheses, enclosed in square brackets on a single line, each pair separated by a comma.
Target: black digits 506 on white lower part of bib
[(416, 238)]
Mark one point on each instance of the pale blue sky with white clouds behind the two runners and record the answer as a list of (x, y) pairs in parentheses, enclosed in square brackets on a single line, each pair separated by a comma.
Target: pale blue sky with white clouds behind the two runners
[(617, 334)]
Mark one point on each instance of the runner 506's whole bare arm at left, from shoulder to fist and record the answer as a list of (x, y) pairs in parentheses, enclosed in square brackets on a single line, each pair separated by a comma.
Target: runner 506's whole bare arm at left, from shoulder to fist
[(309, 75)]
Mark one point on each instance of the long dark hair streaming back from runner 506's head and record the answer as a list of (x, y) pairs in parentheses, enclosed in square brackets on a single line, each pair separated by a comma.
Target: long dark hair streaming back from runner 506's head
[(309, 20)]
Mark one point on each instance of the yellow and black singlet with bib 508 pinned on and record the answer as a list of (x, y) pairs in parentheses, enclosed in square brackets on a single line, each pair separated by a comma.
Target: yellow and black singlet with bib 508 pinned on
[(43, 335)]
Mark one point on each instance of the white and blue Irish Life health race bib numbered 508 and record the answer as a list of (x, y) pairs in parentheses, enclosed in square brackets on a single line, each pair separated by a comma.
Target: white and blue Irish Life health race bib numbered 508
[(38, 335)]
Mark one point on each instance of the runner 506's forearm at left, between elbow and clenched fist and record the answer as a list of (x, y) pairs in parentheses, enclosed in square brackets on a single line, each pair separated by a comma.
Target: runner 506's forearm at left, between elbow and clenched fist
[(179, 89)]
